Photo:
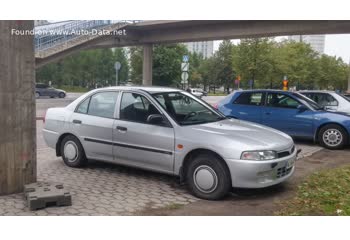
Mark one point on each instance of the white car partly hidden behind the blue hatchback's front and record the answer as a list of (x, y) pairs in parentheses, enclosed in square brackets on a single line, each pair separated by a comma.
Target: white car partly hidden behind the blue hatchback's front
[(331, 101)]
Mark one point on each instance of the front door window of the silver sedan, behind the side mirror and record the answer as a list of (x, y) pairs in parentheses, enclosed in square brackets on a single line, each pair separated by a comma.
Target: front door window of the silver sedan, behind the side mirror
[(135, 107)]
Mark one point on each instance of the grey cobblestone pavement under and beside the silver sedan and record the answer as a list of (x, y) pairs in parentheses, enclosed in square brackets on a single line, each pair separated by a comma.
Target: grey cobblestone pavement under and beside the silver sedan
[(105, 189)]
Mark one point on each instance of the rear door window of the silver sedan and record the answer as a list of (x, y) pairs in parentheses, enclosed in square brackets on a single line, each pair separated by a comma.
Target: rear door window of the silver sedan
[(102, 104)]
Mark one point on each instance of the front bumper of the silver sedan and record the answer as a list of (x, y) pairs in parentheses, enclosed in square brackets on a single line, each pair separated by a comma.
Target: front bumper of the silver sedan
[(259, 174)]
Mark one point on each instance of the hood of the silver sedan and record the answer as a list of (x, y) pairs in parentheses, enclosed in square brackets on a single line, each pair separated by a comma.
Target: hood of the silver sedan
[(249, 136)]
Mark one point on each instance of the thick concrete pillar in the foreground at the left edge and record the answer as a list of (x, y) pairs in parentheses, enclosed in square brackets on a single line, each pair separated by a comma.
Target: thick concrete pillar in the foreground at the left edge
[(17, 104)]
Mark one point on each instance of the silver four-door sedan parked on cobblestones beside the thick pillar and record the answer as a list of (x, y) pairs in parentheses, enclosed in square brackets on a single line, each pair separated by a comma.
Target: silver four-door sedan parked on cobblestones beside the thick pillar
[(168, 130)]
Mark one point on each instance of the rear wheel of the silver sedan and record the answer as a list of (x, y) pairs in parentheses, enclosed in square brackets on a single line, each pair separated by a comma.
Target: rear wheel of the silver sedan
[(72, 152)]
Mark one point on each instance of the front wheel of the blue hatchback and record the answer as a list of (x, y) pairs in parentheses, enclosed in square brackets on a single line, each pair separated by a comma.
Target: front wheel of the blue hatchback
[(332, 136)]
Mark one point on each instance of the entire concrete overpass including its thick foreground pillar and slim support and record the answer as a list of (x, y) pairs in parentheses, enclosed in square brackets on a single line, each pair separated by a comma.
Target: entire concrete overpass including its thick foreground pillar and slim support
[(17, 73)]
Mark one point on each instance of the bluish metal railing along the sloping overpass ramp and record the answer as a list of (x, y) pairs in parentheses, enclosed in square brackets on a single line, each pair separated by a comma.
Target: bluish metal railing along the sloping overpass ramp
[(48, 36)]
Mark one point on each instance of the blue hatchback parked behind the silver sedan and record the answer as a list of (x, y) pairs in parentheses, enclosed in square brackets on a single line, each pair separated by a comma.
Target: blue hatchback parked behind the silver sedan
[(289, 112)]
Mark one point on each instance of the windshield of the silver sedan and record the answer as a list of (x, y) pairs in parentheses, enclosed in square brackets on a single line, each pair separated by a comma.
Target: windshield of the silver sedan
[(186, 110)]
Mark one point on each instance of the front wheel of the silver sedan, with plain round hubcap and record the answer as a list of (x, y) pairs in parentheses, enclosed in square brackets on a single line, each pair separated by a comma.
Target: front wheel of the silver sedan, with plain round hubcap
[(208, 166)]
